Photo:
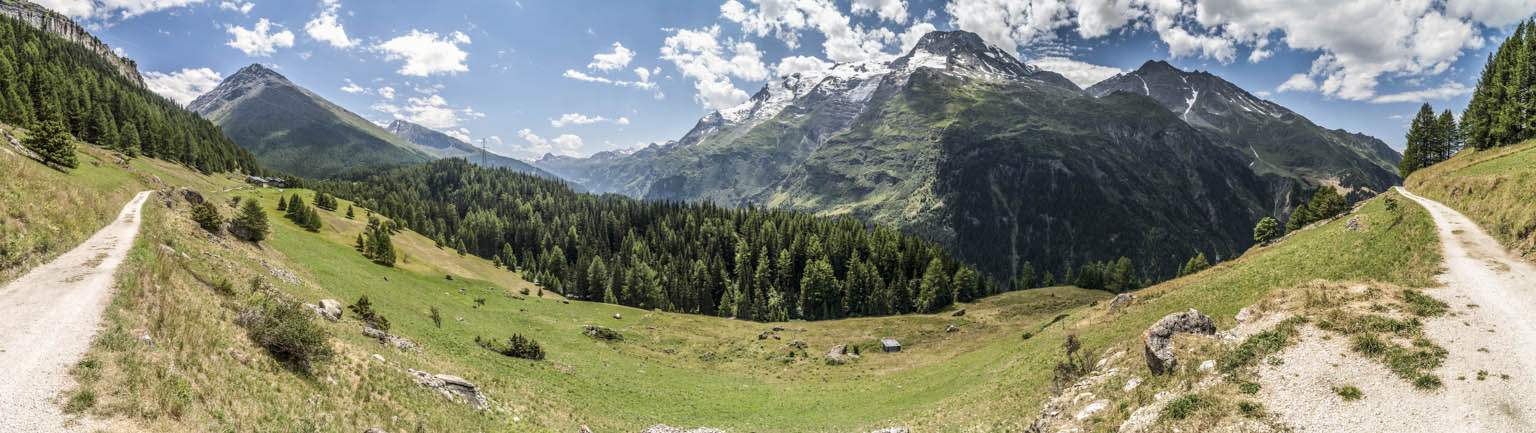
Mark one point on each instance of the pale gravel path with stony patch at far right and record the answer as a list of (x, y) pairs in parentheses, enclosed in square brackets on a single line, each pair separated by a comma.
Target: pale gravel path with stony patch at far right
[(1491, 329)]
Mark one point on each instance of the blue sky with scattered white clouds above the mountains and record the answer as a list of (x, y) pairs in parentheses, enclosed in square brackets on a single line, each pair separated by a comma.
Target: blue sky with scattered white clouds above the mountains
[(575, 78)]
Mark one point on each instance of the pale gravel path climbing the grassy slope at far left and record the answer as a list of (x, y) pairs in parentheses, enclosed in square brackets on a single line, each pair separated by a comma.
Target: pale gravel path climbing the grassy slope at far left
[(50, 317)]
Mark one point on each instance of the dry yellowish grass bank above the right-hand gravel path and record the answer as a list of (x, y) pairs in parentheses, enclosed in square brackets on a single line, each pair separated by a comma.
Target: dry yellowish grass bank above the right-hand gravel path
[(1486, 187)]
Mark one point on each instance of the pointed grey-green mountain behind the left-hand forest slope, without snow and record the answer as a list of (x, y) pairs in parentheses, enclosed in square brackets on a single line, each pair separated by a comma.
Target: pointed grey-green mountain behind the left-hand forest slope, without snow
[(294, 130)]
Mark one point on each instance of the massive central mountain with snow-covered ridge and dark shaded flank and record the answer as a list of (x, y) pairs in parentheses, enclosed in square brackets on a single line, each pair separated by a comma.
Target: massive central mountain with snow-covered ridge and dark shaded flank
[(959, 142)]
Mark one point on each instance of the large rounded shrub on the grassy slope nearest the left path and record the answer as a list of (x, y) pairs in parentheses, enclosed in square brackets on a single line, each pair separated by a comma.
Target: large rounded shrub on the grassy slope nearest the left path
[(288, 331)]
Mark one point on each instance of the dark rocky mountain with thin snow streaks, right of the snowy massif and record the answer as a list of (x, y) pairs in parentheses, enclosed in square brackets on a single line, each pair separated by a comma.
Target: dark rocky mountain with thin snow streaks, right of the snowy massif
[(1286, 148)]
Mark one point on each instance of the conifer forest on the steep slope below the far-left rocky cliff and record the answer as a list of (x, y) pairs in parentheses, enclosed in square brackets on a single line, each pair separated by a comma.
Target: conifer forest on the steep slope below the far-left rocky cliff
[(48, 82)]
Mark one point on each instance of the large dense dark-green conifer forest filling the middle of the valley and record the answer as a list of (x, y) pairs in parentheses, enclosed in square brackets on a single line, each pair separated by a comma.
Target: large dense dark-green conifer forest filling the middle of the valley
[(698, 259)]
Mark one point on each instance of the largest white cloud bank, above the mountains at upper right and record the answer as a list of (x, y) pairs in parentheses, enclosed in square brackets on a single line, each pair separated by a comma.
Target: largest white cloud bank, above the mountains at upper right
[(1406, 39)]
